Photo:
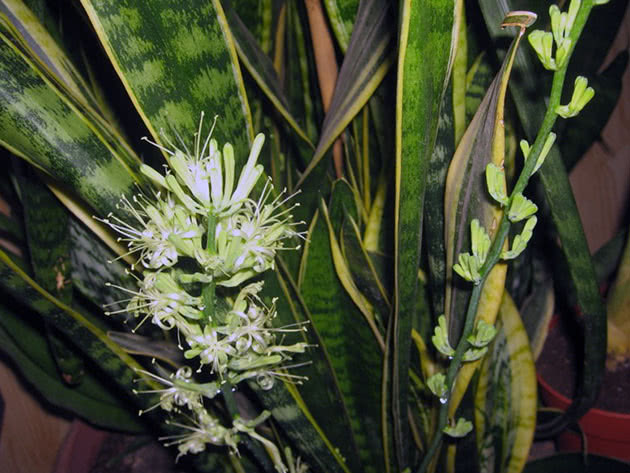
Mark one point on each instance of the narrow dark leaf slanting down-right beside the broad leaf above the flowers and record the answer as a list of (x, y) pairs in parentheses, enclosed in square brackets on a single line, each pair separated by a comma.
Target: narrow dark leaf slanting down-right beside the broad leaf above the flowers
[(261, 69)]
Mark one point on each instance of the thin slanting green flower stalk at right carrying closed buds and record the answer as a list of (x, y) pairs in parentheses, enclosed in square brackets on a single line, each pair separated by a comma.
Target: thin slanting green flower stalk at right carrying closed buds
[(494, 254)]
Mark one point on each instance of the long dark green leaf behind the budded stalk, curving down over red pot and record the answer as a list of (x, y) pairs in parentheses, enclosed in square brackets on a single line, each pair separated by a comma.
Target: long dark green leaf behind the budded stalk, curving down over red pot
[(570, 232)]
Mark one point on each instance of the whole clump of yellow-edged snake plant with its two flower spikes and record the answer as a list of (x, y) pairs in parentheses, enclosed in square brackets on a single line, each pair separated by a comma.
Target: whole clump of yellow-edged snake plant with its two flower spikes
[(295, 235)]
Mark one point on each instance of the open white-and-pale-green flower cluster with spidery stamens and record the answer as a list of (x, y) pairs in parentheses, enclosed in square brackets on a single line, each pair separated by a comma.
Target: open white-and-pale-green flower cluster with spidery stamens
[(199, 238)]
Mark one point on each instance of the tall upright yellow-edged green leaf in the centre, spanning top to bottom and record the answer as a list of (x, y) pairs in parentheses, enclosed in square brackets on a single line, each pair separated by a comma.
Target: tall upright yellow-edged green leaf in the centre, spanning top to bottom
[(424, 61)]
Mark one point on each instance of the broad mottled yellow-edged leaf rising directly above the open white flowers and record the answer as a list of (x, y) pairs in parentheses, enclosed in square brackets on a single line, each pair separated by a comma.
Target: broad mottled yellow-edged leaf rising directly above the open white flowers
[(175, 61)]
